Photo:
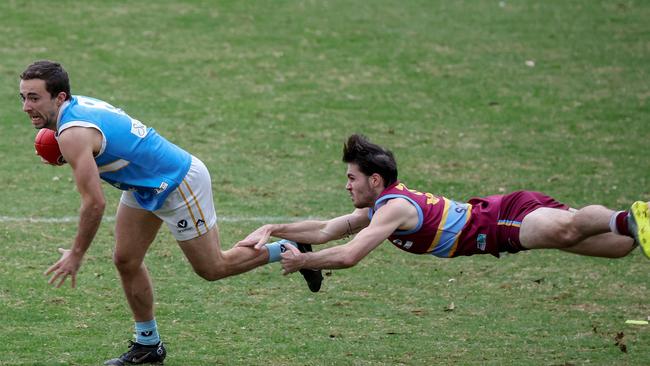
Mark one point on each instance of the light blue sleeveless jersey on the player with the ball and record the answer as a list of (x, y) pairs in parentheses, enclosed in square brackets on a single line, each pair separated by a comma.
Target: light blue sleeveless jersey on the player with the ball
[(133, 156)]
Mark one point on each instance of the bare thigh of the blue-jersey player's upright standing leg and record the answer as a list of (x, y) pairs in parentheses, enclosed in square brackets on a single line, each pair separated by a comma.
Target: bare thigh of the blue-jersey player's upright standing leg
[(135, 230)]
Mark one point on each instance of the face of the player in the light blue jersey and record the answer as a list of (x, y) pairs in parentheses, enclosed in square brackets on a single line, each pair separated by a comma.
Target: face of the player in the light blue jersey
[(39, 105)]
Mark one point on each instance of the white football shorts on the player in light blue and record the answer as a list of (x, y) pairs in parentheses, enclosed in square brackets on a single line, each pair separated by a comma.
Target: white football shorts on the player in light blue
[(189, 210)]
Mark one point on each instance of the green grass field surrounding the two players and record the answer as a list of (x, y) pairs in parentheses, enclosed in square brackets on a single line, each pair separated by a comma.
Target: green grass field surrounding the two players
[(474, 97)]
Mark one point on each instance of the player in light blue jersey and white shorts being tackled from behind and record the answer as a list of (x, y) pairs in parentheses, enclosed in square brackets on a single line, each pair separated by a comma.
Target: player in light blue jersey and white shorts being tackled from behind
[(161, 183)]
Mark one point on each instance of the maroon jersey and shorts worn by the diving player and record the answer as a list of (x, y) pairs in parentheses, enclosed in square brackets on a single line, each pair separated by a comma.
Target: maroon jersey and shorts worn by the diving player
[(448, 228)]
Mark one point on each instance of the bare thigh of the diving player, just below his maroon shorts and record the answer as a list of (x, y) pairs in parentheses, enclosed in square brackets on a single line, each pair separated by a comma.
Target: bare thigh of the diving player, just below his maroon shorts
[(545, 228)]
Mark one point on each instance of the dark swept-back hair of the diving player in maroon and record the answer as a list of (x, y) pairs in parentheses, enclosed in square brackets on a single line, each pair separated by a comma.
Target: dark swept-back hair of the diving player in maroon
[(370, 158)]
